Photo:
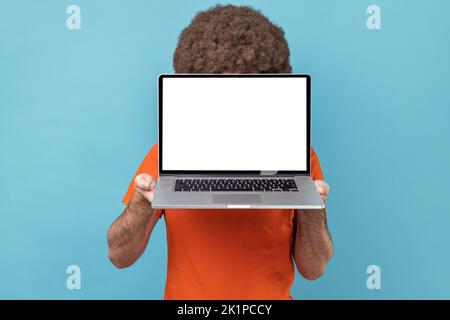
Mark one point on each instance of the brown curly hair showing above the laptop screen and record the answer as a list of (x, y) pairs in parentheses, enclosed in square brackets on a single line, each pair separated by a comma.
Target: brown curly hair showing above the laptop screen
[(232, 39)]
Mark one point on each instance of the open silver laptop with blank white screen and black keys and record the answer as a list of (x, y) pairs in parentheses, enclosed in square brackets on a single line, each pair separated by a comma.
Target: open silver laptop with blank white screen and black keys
[(235, 141)]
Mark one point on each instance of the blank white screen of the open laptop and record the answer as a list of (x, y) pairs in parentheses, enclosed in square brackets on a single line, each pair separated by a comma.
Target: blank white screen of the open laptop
[(231, 123)]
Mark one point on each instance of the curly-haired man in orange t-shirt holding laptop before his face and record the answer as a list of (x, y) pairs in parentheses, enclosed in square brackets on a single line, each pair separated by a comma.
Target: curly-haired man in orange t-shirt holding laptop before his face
[(226, 254)]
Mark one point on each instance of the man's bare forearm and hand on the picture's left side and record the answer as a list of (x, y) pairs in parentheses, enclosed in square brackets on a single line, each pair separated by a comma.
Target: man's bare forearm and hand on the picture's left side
[(129, 234)]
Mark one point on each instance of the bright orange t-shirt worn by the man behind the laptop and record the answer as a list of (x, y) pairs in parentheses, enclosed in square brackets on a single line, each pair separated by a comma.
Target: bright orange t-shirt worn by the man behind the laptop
[(227, 253)]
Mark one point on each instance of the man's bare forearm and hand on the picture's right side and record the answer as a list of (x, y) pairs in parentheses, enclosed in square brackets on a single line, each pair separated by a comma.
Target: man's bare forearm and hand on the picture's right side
[(313, 246)]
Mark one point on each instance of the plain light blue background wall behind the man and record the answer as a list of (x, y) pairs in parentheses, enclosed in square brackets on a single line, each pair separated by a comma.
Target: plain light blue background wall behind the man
[(77, 116)]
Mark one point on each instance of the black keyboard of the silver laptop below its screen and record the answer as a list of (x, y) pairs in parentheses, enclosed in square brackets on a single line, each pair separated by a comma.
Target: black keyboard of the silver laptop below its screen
[(236, 185)]
